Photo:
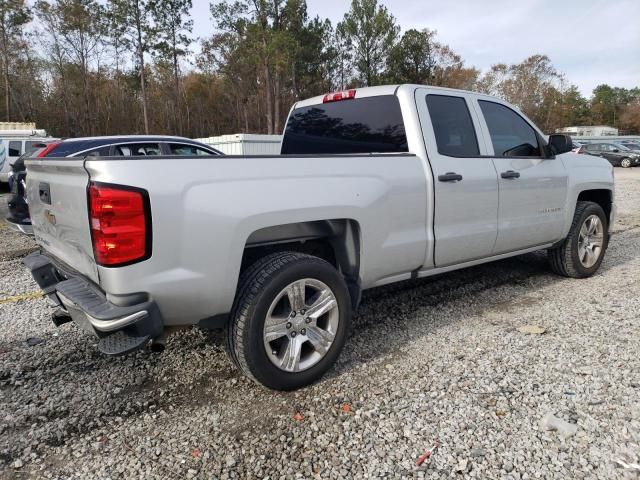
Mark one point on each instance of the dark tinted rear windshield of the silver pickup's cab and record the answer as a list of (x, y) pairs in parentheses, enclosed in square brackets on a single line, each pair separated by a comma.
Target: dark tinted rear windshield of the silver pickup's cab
[(362, 125)]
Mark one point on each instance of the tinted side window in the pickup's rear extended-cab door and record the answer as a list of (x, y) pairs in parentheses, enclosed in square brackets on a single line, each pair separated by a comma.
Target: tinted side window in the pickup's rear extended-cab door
[(452, 126)]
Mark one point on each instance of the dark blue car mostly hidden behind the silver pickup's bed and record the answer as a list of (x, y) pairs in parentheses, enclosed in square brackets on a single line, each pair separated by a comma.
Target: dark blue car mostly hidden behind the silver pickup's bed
[(132, 145)]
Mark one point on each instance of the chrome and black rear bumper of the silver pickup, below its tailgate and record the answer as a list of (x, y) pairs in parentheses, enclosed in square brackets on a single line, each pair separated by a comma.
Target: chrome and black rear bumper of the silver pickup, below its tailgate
[(120, 328)]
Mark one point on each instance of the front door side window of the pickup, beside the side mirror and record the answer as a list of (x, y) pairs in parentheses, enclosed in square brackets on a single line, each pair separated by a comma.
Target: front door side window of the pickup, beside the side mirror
[(510, 134)]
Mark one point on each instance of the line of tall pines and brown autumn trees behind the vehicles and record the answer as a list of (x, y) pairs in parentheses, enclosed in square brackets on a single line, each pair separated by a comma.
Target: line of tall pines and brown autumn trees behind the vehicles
[(88, 67)]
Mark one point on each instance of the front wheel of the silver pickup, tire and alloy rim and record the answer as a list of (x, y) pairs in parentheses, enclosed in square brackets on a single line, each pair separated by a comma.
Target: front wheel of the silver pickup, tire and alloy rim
[(582, 252)]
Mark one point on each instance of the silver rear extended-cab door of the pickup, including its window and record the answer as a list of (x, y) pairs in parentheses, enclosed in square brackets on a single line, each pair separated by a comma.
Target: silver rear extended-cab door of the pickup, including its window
[(465, 181)]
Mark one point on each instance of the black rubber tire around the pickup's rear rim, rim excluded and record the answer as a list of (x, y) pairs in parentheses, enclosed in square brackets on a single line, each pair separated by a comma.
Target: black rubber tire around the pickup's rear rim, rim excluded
[(258, 287)]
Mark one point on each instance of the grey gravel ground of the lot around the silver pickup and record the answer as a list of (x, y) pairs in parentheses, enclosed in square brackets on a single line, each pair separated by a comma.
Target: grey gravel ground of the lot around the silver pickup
[(436, 362)]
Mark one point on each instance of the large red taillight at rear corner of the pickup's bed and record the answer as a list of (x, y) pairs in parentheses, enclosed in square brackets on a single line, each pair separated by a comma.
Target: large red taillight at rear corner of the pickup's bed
[(120, 224)]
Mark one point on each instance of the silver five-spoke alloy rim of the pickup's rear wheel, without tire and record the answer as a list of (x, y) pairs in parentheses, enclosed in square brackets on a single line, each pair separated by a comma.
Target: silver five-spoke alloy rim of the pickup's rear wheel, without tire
[(301, 325)]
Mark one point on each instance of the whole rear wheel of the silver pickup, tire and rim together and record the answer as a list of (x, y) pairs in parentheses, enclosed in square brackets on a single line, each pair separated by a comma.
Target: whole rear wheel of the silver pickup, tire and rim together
[(289, 321)]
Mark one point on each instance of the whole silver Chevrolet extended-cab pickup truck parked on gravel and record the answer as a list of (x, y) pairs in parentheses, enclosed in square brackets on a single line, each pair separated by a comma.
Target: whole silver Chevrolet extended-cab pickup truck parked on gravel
[(374, 185)]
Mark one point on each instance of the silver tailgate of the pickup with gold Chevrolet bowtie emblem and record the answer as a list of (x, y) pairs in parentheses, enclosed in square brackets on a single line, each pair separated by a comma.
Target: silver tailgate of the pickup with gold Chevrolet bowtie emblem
[(57, 195)]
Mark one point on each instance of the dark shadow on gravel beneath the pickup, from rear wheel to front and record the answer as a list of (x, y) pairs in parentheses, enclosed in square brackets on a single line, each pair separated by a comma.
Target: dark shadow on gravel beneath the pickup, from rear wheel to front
[(393, 315)]
